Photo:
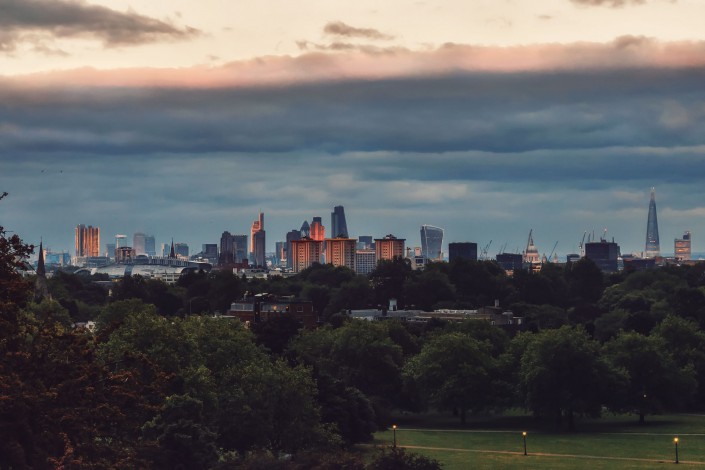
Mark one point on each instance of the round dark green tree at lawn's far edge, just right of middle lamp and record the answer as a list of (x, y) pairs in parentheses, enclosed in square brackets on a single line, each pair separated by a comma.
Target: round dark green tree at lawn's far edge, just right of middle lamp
[(562, 375)]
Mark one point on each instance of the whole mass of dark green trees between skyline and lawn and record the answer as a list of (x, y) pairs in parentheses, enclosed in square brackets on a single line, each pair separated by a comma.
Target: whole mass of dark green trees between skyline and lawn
[(164, 384)]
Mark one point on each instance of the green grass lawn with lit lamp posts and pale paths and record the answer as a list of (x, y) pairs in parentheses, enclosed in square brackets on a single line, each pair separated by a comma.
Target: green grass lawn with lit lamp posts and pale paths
[(609, 443)]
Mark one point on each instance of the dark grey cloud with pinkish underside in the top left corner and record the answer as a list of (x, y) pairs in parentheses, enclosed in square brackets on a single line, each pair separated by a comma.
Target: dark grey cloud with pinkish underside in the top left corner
[(35, 20)]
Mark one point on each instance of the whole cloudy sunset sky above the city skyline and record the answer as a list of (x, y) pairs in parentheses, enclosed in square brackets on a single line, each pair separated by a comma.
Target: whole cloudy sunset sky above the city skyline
[(488, 118)]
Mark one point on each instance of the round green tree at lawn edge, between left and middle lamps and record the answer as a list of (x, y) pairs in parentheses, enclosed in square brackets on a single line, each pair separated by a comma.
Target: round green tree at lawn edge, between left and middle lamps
[(456, 372)]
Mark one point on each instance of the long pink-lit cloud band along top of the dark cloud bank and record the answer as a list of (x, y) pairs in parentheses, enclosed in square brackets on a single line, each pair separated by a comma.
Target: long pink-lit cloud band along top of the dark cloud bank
[(369, 64)]
